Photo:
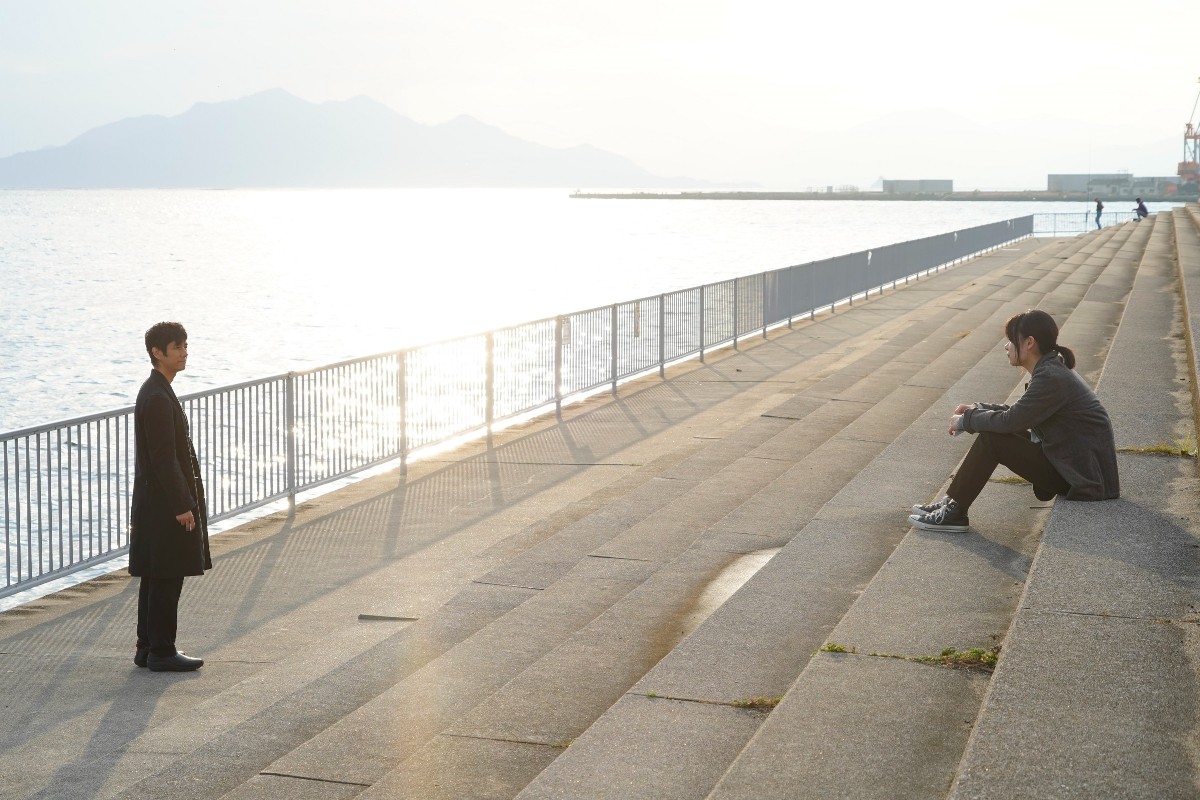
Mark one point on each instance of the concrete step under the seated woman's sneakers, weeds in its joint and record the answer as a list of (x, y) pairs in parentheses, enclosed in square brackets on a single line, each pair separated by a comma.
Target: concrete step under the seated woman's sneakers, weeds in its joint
[(879, 726)]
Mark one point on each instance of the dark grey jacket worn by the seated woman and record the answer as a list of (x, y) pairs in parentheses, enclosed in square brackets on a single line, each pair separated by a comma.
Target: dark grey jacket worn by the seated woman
[(1061, 412)]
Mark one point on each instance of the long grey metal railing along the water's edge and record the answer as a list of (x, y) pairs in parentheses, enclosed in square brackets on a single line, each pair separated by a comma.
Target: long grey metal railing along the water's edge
[(65, 488)]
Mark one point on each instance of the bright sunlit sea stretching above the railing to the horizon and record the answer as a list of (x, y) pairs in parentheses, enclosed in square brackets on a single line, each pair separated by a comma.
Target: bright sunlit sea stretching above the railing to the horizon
[(272, 281)]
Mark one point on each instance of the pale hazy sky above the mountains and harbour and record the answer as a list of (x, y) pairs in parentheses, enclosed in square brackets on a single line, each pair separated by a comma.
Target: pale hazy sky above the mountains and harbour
[(785, 94)]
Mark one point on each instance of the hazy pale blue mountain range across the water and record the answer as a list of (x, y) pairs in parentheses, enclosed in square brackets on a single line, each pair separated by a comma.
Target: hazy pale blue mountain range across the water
[(275, 140)]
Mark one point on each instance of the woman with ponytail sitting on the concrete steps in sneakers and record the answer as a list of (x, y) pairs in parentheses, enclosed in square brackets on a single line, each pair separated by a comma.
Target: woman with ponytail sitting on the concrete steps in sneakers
[(1058, 436)]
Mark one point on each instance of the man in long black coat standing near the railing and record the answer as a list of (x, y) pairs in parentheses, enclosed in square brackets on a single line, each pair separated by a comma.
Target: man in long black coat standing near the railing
[(169, 519)]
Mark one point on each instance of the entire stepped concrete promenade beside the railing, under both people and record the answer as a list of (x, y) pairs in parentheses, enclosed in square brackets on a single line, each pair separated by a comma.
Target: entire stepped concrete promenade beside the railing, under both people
[(633, 601)]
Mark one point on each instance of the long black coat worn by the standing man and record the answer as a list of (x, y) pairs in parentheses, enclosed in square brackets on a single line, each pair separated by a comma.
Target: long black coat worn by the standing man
[(166, 484)]
